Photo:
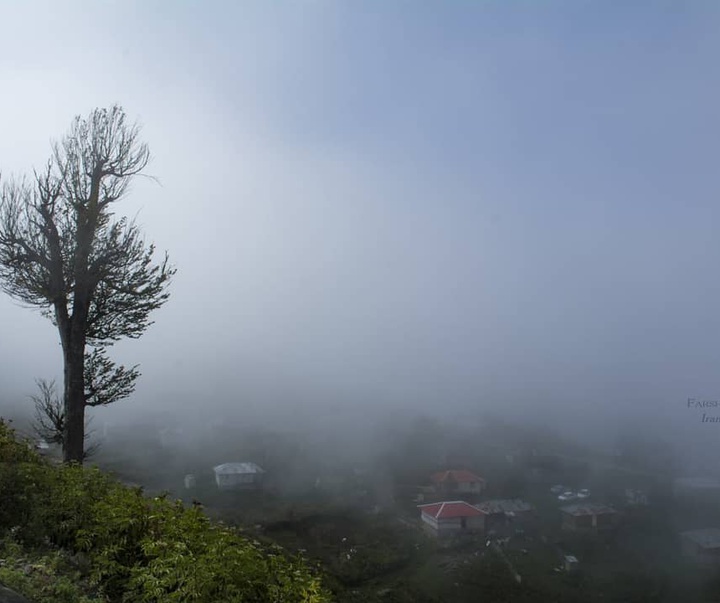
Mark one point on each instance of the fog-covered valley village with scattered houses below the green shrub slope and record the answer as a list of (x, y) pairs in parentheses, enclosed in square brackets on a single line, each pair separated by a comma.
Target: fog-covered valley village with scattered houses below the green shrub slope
[(516, 512)]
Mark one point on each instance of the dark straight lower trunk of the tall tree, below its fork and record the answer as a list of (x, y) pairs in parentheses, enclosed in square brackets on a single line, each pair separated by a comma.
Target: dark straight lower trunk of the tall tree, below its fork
[(74, 436)]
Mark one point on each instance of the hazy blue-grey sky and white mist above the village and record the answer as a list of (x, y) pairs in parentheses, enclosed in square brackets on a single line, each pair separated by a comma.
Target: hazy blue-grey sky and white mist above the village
[(409, 204)]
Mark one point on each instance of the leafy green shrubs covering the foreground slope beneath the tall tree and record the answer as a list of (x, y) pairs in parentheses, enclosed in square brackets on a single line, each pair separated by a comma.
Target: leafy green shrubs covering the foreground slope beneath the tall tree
[(111, 543)]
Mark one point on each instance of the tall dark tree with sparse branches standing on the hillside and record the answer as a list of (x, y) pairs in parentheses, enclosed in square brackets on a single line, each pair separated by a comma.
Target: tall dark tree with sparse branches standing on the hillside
[(62, 250)]
